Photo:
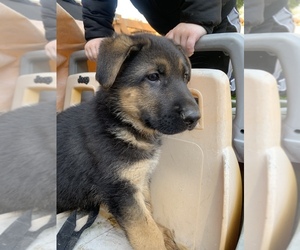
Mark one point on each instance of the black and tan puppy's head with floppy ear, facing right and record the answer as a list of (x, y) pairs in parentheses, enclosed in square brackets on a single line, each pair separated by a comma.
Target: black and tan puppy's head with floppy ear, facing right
[(146, 77)]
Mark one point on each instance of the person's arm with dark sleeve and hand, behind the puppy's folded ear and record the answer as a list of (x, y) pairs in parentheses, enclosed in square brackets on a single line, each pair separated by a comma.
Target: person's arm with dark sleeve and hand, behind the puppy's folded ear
[(98, 18)]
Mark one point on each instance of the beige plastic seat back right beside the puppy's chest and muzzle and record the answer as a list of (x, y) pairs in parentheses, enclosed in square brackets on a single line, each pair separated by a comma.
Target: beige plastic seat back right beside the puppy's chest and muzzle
[(196, 189)]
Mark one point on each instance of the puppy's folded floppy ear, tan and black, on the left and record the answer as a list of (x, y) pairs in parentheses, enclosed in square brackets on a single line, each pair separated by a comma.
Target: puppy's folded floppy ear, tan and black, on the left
[(113, 52)]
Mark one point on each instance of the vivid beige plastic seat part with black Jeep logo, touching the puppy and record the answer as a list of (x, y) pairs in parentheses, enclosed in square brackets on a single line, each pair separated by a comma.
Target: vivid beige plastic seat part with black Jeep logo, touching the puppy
[(76, 84)]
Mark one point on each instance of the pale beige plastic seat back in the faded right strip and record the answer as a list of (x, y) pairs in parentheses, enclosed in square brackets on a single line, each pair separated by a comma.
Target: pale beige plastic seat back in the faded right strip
[(270, 184)]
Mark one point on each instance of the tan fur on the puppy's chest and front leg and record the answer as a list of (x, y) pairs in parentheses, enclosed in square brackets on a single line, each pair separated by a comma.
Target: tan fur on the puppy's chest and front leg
[(144, 233)]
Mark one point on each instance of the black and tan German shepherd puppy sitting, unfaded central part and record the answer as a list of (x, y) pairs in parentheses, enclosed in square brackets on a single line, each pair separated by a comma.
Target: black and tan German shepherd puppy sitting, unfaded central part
[(109, 146)]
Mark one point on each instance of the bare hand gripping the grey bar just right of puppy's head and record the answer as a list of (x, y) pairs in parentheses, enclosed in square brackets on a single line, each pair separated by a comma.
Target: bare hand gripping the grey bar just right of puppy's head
[(186, 35)]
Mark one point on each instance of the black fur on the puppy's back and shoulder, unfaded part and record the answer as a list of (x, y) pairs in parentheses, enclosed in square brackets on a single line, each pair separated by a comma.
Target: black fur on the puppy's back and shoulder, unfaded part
[(88, 158)]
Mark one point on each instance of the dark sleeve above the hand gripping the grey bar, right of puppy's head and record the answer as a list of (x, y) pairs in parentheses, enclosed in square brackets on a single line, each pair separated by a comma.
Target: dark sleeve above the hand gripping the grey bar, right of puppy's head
[(206, 13)]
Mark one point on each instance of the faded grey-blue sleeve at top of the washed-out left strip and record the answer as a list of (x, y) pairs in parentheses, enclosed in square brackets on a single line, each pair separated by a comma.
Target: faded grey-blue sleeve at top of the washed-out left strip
[(49, 18)]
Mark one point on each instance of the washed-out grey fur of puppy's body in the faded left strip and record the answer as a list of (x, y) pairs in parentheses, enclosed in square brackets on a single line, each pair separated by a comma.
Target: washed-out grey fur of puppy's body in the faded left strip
[(28, 159)]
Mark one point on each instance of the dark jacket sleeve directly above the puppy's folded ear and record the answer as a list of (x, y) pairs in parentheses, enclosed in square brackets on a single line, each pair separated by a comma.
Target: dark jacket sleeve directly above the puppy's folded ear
[(98, 18)]
